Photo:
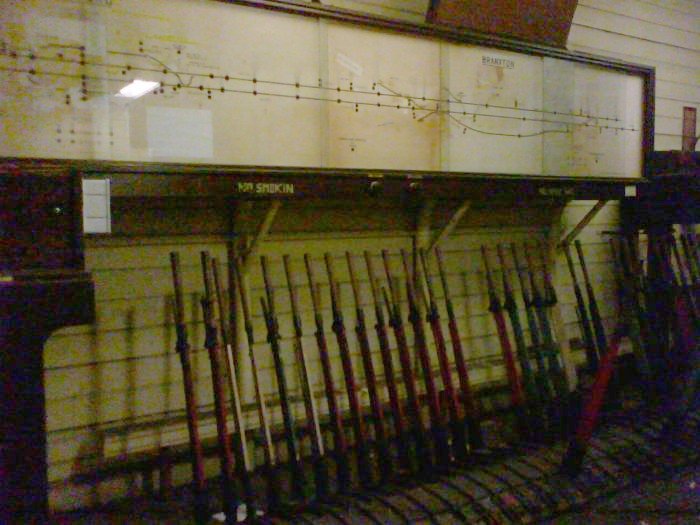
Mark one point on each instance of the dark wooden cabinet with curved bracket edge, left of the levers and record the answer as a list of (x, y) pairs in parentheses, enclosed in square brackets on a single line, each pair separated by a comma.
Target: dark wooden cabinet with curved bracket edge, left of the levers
[(30, 310)]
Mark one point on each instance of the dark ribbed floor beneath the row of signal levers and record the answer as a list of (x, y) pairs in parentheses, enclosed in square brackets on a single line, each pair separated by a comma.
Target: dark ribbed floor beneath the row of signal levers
[(629, 477)]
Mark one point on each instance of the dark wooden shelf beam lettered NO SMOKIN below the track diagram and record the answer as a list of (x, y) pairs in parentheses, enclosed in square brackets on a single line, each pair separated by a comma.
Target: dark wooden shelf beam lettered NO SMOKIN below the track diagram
[(157, 180)]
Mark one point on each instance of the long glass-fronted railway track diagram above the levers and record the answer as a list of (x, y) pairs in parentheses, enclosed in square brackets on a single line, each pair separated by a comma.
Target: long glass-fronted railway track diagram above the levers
[(241, 86)]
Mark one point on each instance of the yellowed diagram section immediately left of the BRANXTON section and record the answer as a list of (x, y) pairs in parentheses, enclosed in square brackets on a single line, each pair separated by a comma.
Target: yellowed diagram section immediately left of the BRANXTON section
[(387, 75)]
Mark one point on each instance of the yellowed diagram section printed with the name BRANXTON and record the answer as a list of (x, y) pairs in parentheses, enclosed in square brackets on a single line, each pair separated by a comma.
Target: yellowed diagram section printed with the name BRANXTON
[(493, 111)]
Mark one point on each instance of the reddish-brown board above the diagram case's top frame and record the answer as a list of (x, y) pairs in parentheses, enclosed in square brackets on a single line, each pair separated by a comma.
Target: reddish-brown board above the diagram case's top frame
[(540, 21)]
